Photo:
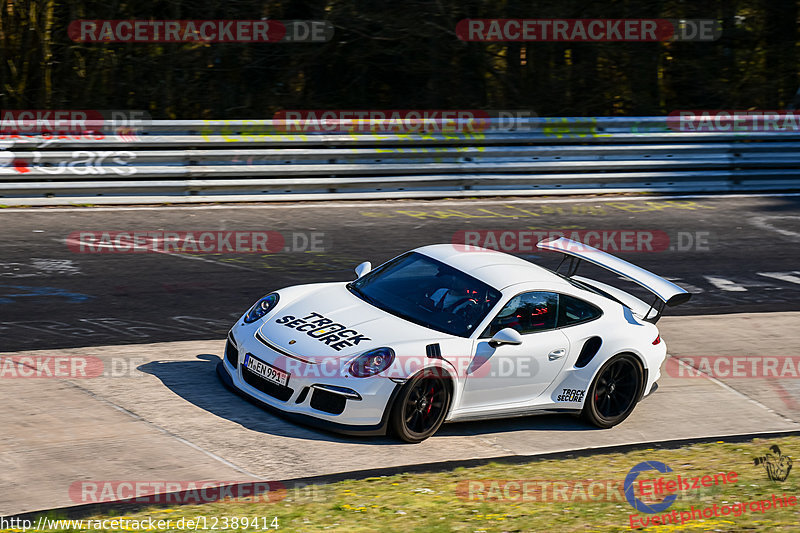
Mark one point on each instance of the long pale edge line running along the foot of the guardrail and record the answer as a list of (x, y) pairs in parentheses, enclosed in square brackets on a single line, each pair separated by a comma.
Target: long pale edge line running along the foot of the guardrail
[(394, 203)]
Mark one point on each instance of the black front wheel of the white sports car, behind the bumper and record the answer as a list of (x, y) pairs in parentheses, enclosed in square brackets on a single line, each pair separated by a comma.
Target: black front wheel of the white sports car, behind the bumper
[(421, 407)]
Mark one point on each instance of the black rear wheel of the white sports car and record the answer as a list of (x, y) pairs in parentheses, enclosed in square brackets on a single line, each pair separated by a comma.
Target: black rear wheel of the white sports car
[(614, 392)]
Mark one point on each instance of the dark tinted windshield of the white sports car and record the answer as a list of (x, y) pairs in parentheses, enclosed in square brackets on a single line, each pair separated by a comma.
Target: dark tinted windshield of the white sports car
[(427, 292)]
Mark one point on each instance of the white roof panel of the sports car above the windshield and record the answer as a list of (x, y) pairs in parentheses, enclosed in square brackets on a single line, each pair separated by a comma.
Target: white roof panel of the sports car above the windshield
[(498, 269)]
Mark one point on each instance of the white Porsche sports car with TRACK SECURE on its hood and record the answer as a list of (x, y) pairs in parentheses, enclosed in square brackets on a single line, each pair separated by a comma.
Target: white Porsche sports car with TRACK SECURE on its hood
[(452, 332)]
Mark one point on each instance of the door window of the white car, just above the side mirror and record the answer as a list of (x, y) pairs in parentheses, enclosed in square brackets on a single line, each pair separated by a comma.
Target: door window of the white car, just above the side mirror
[(527, 313)]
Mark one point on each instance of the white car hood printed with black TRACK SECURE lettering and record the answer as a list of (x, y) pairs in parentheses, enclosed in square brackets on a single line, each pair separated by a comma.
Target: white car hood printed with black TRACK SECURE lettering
[(331, 322)]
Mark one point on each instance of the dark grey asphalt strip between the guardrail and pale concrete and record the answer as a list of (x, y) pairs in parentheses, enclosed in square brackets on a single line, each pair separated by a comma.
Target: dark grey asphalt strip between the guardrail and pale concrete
[(736, 254)]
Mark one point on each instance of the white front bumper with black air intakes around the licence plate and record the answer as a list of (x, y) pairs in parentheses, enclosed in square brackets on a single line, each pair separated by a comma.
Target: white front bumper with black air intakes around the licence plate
[(356, 406)]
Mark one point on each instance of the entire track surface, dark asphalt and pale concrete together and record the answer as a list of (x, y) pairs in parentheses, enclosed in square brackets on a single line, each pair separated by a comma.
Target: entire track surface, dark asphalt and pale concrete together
[(158, 411)]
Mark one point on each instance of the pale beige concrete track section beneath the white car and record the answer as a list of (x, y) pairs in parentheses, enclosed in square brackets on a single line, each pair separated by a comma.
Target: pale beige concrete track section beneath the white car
[(161, 415)]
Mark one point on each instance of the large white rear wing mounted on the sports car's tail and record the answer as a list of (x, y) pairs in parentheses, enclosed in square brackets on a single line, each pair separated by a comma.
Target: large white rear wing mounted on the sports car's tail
[(666, 292)]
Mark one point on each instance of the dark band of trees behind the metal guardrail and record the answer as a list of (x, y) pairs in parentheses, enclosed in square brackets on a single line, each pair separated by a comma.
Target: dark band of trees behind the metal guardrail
[(398, 55)]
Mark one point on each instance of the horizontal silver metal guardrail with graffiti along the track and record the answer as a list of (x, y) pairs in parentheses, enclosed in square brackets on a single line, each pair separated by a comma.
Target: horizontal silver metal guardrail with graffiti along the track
[(257, 160)]
